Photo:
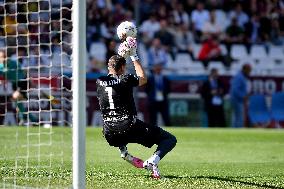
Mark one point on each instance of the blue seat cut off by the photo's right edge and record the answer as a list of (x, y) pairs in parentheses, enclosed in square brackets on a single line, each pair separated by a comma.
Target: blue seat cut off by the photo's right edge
[(277, 106)]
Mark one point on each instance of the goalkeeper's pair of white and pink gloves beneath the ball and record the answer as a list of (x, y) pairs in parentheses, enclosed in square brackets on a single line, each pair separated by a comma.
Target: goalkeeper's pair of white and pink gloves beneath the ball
[(128, 48)]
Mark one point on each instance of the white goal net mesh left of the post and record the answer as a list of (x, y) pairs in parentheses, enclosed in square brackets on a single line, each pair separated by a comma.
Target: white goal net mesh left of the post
[(35, 93)]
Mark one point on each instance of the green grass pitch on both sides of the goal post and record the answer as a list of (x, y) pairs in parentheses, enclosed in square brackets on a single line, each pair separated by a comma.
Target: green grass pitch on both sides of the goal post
[(203, 158)]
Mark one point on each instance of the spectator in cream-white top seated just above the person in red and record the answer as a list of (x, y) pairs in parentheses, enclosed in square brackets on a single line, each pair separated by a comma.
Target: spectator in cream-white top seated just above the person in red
[(211, 27)]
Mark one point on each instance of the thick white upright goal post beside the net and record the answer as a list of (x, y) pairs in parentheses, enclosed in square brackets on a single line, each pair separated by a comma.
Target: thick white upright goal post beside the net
[(79, 92)]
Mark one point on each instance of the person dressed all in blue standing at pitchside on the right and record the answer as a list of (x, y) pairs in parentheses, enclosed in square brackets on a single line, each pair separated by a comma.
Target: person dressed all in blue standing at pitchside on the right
[(239, 95)]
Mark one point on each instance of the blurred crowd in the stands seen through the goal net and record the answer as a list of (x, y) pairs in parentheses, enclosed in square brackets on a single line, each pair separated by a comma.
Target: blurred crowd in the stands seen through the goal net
[(35, 36)]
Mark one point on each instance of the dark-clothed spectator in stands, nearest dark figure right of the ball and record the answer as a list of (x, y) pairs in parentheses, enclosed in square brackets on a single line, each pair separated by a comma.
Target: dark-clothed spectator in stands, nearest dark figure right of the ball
[(166, 38)]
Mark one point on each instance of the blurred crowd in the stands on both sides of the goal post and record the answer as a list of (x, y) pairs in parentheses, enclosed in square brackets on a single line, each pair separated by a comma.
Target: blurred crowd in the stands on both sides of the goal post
[(203, 31)]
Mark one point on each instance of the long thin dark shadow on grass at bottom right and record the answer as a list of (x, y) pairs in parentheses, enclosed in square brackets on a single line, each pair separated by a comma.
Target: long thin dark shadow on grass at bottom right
[(234, 180)]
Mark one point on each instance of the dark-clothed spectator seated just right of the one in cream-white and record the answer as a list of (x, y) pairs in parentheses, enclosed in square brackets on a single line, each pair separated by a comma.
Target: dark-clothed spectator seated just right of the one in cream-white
[(234, 34)]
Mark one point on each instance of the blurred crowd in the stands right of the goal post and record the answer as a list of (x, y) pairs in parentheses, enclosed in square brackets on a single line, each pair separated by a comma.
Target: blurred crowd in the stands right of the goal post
[(179, 26)]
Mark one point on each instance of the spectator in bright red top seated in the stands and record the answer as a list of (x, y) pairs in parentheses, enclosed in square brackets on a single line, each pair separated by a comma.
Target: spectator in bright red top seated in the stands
[(211, 51)]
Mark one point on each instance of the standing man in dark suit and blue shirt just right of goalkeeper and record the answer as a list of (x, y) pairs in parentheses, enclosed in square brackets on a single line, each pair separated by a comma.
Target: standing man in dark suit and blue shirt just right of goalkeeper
[(157, 91)]
